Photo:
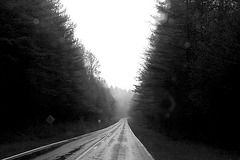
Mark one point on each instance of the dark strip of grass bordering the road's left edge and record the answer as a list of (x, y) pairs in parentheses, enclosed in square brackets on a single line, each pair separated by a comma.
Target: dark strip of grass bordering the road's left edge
[(43, 135)]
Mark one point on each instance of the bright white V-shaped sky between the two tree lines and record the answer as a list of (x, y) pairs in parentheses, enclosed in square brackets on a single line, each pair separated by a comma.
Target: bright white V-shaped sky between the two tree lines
[(116, 32)]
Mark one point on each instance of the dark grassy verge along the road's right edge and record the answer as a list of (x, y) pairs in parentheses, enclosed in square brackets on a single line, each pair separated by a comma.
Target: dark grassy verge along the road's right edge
[(163, 148)]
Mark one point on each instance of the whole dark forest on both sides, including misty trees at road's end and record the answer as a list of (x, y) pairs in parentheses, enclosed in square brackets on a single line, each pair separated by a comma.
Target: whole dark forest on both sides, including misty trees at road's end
[(188, 86)]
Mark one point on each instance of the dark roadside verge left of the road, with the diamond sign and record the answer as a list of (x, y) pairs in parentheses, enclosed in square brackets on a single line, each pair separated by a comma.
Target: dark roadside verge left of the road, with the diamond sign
[(57, 133)]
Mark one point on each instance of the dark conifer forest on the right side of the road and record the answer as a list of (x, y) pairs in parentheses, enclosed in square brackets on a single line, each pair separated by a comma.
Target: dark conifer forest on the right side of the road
[(189, 84)]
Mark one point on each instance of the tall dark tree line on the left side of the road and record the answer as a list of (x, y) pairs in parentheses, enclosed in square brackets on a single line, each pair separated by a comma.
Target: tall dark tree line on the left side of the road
[(45, 70)]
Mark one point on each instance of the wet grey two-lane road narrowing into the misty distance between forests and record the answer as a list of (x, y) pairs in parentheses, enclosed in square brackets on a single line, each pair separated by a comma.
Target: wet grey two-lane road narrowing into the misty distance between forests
[(116, 142)]
